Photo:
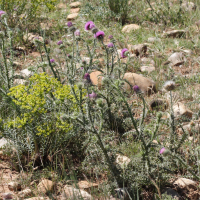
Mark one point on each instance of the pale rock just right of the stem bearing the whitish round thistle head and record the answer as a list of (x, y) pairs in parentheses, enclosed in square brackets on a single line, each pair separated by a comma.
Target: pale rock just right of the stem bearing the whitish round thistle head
[(180, 110)]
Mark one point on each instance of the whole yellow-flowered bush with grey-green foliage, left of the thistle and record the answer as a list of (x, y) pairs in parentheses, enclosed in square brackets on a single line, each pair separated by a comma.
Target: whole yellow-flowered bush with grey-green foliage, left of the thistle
[(41, 104)]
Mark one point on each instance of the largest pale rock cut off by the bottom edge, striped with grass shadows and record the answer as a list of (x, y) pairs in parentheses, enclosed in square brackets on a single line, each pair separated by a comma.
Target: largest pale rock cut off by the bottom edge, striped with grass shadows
[(73, 193)]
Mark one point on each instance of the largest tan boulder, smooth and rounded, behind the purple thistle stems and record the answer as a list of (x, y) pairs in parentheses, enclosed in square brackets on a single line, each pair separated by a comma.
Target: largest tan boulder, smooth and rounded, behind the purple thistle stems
[(146, 85)]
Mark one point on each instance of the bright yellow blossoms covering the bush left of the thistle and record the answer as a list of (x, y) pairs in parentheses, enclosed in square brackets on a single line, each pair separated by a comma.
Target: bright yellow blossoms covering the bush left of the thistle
[(32, 100)]
